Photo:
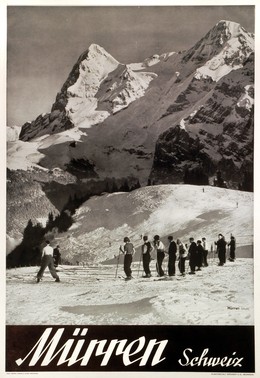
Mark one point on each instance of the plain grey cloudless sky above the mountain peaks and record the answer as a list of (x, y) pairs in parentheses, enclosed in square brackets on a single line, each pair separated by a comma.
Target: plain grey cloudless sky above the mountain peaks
[(44, 42)]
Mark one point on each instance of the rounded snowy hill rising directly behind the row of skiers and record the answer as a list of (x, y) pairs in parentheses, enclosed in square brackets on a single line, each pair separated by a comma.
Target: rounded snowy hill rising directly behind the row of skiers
[(179, 210)]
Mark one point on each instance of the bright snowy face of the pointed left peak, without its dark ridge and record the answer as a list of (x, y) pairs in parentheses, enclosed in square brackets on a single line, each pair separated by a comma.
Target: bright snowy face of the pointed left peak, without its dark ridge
[(102, 79)]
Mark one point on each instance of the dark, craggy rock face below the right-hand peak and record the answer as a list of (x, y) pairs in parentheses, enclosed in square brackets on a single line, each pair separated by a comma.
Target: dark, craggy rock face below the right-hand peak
[(219, 136)]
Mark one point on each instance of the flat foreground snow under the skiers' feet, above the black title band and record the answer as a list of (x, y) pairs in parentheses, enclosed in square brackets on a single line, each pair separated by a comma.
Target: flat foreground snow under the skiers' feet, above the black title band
[(93, 295)]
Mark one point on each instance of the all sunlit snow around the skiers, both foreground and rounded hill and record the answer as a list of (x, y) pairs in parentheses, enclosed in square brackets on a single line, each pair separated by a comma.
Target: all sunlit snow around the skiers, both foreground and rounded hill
[(93, 293)]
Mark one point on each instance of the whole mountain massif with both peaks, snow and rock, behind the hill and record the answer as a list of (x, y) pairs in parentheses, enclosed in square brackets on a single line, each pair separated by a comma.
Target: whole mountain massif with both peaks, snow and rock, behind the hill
[(174, 118)]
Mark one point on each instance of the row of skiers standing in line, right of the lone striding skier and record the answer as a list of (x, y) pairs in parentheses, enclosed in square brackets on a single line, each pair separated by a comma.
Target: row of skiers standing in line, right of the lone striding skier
[(195, 252)]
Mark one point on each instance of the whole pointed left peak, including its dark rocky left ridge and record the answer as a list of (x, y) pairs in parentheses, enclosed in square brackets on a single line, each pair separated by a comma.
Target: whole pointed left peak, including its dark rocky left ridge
[(97, 87)]
